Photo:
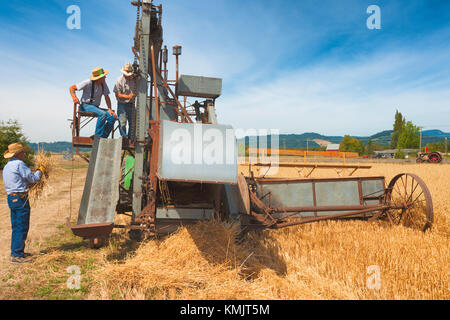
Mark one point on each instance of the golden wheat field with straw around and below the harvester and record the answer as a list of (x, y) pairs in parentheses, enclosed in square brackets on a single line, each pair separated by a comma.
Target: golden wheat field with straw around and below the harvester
[(326, 260)]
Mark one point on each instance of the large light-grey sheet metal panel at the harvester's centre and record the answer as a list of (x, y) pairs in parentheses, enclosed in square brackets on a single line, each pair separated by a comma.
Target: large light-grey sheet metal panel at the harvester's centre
[(182, 151)]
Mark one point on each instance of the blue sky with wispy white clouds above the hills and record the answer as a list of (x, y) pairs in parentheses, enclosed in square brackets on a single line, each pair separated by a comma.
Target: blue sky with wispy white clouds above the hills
[(297, 66)]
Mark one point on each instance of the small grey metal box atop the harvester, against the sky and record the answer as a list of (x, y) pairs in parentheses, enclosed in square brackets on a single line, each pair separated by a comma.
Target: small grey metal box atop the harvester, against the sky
[(202, 87)]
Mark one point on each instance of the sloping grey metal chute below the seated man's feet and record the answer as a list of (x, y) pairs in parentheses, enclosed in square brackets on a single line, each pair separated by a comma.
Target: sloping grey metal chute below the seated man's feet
[(101, 189)]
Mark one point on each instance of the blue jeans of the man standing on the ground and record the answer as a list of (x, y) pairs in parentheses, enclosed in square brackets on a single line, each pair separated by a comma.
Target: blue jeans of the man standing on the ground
[(20, 223)]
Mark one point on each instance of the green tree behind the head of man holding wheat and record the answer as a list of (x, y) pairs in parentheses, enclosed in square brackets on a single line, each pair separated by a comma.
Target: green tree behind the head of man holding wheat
[(11, 132)]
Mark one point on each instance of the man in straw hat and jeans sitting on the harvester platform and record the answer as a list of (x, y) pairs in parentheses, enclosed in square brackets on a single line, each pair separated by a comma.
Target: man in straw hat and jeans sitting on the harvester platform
[(93, 90)]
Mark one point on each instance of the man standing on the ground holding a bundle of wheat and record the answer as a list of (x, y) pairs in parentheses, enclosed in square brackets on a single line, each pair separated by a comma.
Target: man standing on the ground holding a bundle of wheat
[(16, 178)]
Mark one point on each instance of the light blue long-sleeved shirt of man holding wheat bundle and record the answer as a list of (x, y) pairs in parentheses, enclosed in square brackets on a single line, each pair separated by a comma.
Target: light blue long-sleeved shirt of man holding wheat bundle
[(16, 176)]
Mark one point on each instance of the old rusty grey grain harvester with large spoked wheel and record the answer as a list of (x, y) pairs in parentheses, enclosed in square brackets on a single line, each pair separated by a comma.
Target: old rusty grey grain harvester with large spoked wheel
[(147, 177)]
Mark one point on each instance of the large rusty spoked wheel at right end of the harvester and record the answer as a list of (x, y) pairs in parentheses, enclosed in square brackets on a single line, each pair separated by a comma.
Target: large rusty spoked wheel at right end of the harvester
[(410, 202)]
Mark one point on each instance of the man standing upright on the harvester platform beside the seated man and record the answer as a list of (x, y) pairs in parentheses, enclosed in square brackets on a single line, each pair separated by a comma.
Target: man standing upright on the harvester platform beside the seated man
[(126, 90)]
